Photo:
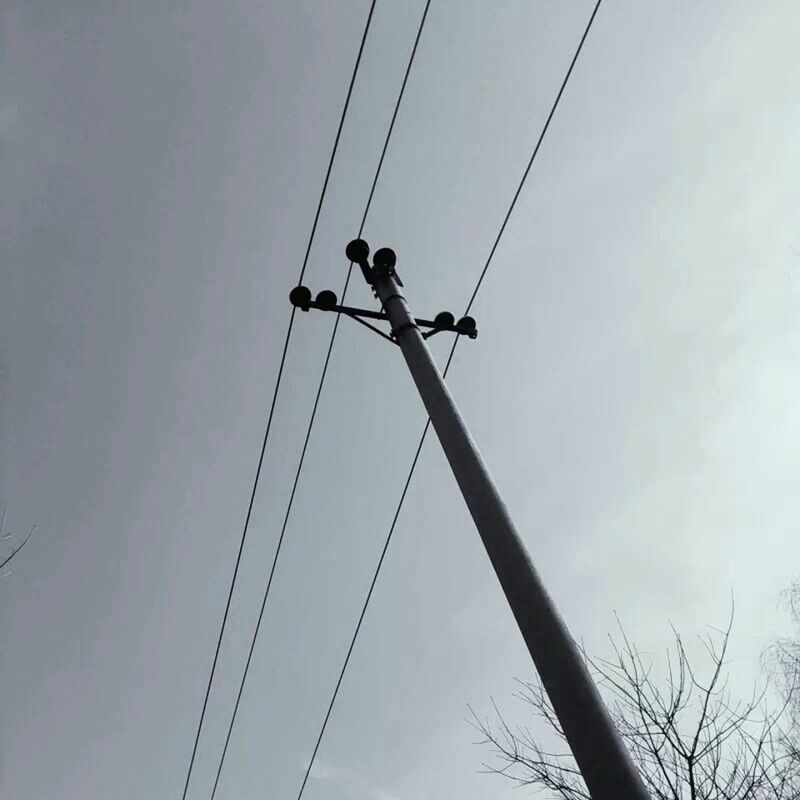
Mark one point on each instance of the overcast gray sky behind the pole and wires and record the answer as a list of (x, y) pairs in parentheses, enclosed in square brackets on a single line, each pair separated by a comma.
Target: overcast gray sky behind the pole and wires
[(633, 387)]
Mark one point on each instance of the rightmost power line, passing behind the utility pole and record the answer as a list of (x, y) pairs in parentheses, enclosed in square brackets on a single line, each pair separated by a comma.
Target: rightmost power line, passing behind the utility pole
[(428, 422)]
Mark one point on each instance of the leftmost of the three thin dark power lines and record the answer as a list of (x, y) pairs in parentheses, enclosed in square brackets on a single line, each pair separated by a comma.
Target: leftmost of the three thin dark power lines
[(273, 403)]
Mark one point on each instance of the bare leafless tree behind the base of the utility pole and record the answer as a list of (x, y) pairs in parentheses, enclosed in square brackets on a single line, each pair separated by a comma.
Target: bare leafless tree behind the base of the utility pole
[(689, 738)]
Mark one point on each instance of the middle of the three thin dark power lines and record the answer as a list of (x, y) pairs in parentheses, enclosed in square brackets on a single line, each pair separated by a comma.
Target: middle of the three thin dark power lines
[(316, 400)]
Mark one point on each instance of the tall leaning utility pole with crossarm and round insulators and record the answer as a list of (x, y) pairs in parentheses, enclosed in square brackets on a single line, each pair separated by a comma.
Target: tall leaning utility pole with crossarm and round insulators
[(601, 756)]
